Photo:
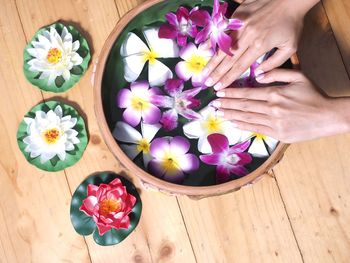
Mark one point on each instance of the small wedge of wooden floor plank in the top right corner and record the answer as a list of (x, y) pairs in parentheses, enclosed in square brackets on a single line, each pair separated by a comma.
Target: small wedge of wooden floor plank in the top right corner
[(338, 13)]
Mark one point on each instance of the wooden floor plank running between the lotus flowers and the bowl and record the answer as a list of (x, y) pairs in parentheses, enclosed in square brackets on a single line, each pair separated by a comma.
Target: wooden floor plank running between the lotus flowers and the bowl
[(161, 235)]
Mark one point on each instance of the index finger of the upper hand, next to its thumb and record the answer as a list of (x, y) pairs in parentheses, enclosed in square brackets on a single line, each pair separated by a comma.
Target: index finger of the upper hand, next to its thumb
[(238, 68)]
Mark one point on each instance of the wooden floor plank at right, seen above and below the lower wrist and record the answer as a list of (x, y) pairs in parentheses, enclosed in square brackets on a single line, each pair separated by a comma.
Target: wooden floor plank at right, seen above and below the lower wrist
[(314, 177)]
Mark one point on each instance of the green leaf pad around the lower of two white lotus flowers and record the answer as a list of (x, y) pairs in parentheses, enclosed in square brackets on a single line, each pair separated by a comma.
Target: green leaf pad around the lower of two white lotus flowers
[(55, 164)]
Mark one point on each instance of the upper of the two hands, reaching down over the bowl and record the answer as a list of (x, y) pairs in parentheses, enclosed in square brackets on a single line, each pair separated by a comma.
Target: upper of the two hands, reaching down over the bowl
[(267, 24)]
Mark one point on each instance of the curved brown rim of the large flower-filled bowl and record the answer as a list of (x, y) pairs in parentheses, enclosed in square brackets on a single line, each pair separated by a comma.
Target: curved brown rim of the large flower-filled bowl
[(145, 177)]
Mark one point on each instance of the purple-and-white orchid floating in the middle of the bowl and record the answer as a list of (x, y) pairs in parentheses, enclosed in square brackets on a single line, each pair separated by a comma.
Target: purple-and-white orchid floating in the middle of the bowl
[(179, 102)]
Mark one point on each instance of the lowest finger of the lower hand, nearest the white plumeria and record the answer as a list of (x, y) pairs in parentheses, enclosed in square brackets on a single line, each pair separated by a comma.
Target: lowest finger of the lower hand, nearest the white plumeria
[(250, 117)]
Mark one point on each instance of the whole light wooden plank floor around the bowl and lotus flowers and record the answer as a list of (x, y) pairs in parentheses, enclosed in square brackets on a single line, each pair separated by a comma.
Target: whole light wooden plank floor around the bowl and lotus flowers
[(300, 214)]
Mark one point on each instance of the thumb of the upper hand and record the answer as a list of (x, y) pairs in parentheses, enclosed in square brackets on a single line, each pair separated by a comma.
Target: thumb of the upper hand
[(276, 60)]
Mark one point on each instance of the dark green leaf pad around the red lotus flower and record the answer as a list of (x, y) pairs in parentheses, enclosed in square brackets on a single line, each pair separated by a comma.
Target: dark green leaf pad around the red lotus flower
[(84, 225)]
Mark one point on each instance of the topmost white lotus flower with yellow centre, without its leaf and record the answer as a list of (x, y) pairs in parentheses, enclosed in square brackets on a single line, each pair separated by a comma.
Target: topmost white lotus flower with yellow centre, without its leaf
[(54, 55)]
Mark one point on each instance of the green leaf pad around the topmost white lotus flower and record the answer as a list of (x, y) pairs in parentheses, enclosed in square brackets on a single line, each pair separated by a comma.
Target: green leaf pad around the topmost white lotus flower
[(59, 85)]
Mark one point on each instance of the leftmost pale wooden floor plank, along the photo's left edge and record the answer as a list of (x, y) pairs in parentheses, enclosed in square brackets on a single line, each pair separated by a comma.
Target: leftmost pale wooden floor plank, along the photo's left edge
[(34, 204)]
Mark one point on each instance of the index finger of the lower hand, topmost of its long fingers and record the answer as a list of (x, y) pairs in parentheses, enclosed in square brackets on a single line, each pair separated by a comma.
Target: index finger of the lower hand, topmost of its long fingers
[(262, 93)]
